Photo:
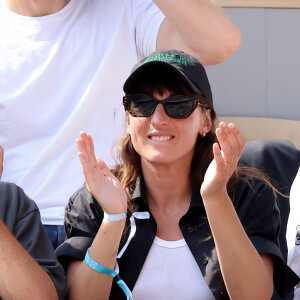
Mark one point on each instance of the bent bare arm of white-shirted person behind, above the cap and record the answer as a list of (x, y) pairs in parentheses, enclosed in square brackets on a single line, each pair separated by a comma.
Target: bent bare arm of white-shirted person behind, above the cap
[(198, 27)]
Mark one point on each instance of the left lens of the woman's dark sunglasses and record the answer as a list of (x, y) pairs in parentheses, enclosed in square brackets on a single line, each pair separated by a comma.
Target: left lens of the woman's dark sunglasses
[(140, 106)]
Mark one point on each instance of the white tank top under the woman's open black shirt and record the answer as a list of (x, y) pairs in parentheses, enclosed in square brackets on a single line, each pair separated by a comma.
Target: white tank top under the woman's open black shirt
[(171, 272)]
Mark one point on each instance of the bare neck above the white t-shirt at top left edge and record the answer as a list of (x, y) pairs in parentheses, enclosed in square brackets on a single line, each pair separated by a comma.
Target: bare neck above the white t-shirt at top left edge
[(36, 8)]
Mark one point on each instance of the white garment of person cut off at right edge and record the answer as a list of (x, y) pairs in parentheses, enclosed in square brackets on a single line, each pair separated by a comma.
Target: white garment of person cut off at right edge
[(293, 231)]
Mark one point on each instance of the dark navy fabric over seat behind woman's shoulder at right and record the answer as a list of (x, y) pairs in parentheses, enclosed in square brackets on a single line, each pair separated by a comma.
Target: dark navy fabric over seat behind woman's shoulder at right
[(280, 160)]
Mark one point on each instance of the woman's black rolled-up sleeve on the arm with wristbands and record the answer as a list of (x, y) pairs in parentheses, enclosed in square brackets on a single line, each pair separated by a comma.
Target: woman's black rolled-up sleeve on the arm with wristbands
[(83, 217)]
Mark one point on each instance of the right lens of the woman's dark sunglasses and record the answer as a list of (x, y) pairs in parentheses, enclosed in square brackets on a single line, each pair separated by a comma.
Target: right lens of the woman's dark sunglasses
[(181, 109)]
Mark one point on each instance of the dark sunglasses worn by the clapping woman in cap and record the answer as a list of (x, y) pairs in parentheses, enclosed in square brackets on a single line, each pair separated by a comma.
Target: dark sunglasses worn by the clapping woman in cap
[(177, 106)]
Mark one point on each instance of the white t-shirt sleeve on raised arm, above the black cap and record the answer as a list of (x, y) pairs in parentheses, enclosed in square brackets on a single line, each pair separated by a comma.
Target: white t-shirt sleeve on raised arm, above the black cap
[(147, 19)]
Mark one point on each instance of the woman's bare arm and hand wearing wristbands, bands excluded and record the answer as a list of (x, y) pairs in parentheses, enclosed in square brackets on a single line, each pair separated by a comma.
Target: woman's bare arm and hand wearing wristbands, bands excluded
[(83, 281)]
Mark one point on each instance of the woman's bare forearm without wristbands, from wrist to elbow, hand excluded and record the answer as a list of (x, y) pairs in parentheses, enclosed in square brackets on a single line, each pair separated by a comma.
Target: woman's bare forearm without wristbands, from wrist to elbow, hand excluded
[(246, 274)]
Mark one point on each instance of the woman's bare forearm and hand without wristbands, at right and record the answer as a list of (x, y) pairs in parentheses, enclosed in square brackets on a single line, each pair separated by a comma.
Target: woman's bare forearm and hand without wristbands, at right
[(246, 274)]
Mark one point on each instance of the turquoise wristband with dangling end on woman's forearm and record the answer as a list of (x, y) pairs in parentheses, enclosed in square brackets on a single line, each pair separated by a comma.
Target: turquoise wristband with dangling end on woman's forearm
[(101, 269)]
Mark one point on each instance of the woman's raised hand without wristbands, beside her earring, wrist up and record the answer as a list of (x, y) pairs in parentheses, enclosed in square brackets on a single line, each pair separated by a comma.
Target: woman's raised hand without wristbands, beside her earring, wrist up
[(225, 161)]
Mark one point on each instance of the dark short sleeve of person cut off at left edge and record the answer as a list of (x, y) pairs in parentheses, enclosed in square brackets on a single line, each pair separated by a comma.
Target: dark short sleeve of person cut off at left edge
[(22, 217)]
